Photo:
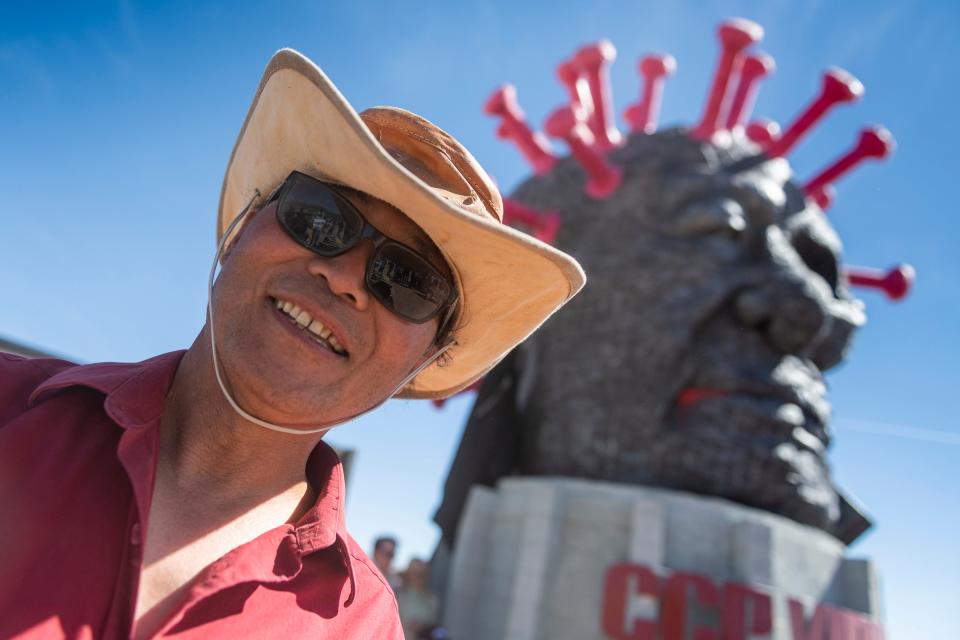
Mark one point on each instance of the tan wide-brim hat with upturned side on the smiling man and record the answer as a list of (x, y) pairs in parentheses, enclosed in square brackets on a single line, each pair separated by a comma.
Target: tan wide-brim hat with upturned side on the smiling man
[(509, 282)]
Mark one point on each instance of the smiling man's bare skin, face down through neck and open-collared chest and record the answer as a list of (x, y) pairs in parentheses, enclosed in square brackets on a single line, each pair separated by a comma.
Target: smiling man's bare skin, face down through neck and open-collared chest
[(222, 481)]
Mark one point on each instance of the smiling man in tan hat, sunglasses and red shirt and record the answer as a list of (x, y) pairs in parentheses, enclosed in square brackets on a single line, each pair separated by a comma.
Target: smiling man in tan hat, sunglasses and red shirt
[(191, 495)]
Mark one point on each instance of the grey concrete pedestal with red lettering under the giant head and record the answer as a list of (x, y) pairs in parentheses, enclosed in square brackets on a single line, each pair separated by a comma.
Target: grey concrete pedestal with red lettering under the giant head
[(538, 558)]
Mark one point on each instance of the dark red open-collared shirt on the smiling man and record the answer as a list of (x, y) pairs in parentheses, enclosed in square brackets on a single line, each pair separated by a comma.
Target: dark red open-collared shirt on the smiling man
[(78, 451)]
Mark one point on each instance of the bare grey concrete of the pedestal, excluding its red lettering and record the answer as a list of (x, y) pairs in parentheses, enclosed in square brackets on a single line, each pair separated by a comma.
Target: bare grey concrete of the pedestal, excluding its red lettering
[(533, 554)]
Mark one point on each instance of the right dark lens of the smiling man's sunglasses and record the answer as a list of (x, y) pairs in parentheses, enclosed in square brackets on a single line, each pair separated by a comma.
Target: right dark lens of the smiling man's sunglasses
[(406, 283)]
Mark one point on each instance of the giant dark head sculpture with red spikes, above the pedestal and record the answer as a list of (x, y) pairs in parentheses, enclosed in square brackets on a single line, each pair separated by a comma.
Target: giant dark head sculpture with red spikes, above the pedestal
[(716, 299)]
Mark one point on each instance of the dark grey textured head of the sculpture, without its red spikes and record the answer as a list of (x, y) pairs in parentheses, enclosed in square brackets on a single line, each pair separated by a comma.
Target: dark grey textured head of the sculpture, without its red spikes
[(694, 357)]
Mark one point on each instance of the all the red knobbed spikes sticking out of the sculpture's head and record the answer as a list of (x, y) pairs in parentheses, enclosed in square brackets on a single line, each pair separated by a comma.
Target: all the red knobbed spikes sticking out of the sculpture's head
[(587, 126)]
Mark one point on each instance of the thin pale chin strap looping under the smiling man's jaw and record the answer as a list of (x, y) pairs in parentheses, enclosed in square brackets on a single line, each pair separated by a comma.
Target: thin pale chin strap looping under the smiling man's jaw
[(216, 362)]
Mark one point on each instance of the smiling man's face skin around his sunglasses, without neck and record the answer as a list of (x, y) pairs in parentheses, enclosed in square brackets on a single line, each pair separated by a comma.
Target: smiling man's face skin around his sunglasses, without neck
[(283, 372)]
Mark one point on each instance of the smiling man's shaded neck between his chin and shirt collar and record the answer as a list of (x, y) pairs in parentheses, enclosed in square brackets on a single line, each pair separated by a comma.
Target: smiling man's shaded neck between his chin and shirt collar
[(207, 449)]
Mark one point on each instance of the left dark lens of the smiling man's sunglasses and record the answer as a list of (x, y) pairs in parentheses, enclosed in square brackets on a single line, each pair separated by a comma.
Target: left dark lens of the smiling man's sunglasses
[(319, 219)]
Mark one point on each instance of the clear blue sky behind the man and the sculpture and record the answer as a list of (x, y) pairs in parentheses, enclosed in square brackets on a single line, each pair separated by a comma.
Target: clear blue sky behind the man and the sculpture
[(118, 119)]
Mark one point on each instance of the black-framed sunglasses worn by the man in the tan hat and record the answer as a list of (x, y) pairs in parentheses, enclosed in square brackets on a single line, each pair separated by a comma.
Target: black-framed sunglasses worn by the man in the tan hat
[(322, 220)]
